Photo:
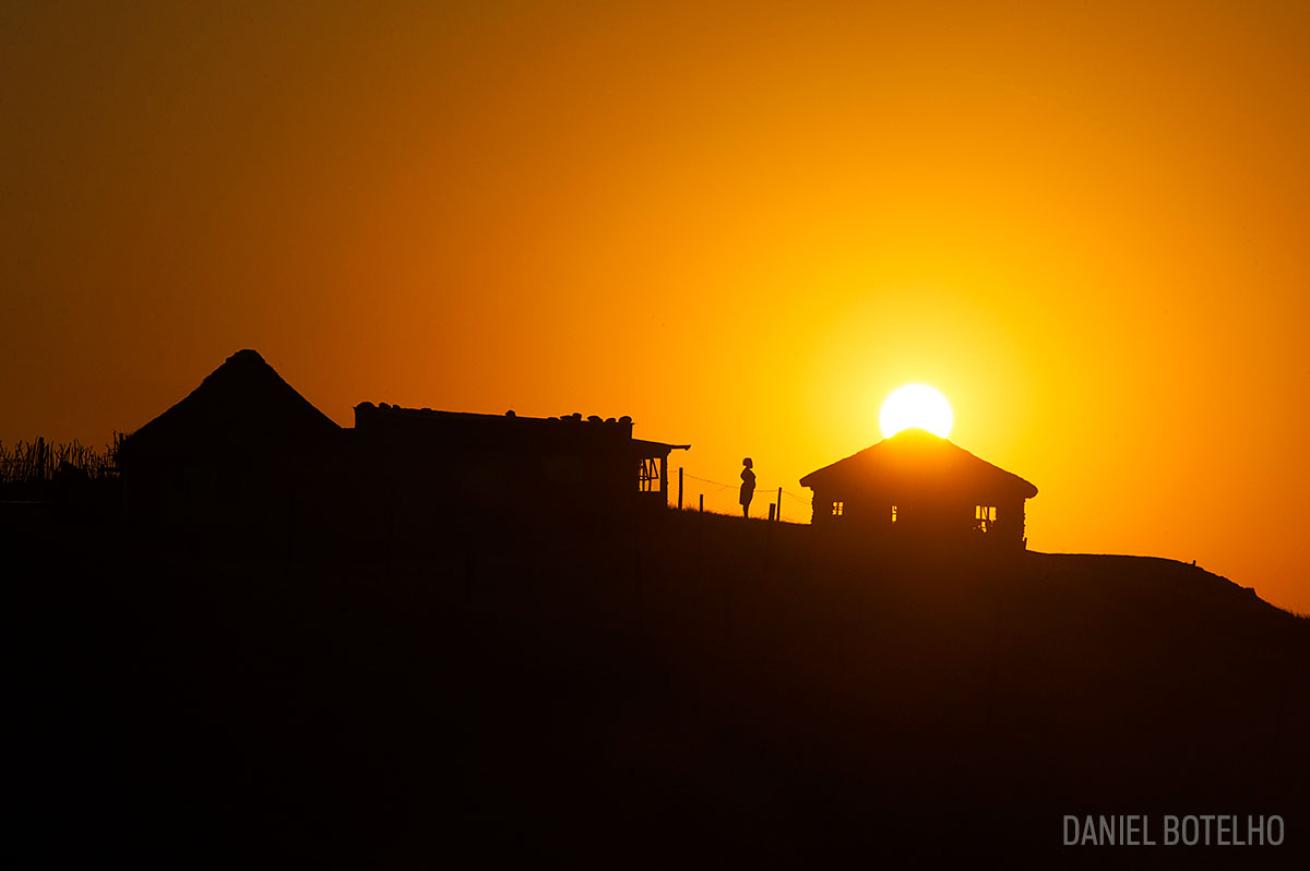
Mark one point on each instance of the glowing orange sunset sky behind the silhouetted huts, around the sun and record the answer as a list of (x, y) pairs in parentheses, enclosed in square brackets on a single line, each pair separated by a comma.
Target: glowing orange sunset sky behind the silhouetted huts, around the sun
[(1088, 225)]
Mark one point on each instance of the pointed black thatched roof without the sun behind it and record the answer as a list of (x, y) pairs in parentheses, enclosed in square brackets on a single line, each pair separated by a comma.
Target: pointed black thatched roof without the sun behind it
[(243, 407)]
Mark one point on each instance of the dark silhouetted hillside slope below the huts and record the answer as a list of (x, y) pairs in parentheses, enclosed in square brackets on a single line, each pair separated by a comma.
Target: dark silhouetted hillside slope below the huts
[(699, 692)]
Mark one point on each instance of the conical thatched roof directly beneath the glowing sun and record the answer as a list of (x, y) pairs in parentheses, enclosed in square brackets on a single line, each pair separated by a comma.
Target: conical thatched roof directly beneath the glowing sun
[(919, 462)]
